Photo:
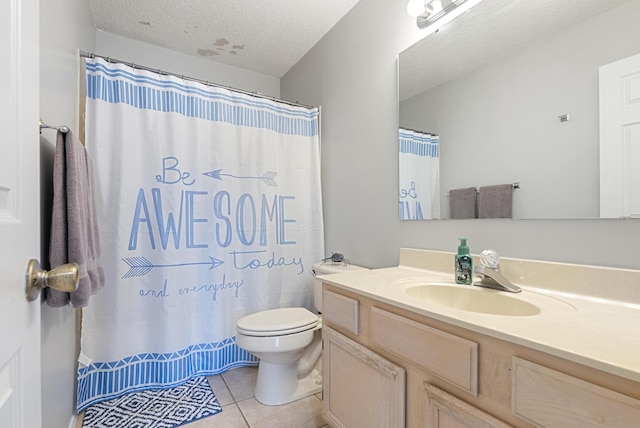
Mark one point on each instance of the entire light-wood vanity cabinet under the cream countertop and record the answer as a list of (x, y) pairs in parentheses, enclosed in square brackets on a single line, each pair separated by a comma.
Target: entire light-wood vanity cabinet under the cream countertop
[(453, 377)]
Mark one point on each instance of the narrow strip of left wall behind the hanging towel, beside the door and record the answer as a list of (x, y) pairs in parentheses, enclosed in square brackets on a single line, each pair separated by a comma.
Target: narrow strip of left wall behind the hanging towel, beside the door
[(65, 26)]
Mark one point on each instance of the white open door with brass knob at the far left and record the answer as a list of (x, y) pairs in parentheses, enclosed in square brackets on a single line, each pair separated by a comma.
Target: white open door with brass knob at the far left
[(19, 213)]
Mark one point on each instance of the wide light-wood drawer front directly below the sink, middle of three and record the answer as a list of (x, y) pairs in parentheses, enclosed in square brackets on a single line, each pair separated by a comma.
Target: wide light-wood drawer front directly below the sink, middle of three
[(450, 357)]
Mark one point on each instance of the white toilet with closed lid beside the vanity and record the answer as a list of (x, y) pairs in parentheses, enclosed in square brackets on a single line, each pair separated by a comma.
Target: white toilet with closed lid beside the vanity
[(288, 342)]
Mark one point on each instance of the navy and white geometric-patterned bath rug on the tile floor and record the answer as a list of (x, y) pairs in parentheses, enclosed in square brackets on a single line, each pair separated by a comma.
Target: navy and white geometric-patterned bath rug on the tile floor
[(163, 408)]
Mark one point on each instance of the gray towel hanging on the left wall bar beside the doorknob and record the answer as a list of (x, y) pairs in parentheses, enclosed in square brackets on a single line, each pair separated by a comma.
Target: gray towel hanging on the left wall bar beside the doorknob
[(74, 227)]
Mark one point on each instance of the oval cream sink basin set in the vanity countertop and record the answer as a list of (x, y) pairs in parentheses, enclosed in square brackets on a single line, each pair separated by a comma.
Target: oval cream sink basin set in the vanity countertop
[(481, 300)]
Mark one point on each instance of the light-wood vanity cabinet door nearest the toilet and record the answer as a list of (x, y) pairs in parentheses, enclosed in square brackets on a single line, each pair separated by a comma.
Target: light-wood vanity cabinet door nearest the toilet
[(361, 389)]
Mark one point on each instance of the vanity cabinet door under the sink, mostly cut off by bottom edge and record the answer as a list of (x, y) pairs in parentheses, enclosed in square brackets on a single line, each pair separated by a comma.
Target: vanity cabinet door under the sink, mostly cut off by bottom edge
[(446, 411)]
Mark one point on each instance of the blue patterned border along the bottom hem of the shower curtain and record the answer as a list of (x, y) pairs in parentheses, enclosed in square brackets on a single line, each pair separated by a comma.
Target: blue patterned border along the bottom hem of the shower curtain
[(106, 380)]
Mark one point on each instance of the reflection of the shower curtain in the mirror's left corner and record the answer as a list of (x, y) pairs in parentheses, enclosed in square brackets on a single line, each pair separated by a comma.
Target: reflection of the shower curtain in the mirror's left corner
[(419, 165)]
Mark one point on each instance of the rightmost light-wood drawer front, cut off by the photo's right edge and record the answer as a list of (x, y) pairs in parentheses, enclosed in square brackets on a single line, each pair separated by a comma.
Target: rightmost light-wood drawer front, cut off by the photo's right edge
[(548, 398)]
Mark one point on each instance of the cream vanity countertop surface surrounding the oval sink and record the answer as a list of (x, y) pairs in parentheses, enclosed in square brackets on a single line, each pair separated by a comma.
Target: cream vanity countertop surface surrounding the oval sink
[(597, 332)]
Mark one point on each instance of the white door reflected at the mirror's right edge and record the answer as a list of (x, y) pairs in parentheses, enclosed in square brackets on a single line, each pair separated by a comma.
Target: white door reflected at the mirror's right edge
[(620, 138)]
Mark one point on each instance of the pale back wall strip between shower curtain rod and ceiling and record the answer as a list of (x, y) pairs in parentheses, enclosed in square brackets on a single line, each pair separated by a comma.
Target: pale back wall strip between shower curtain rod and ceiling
[(112, 45)]
